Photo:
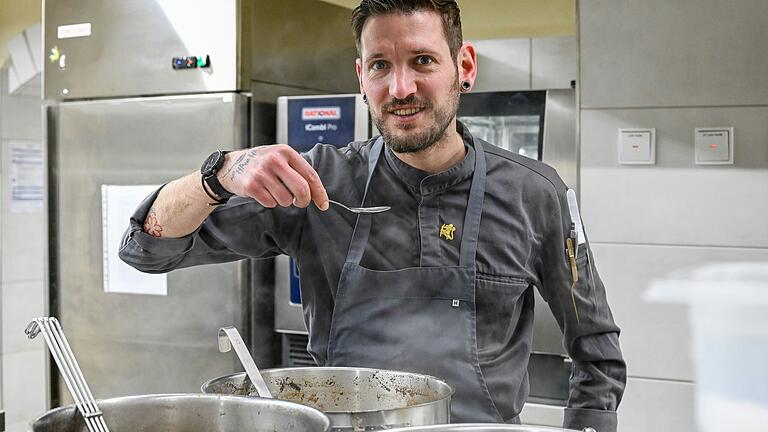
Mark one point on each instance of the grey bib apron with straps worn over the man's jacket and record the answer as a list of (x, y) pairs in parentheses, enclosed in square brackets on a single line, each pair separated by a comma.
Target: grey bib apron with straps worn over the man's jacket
[(419, 319)]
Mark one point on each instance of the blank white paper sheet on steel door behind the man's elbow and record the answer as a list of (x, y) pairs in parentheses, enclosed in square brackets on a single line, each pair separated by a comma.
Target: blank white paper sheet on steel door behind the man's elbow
[(117, 205)]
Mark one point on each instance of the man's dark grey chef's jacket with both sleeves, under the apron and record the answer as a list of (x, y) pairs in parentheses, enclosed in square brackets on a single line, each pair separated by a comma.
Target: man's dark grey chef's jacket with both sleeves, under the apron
[(522, 245)]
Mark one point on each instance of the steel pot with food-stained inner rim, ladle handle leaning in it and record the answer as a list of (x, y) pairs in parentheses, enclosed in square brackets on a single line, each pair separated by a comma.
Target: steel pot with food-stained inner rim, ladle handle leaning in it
[(356, 399)]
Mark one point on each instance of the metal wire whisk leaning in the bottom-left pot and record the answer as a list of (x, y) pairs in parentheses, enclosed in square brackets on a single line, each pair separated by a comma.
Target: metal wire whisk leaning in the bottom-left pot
[(70, 370)]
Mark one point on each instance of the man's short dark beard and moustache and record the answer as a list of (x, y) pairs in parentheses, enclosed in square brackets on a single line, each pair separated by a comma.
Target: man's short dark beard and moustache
[(418, 141)]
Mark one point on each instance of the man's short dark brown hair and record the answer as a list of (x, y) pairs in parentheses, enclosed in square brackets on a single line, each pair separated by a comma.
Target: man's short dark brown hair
[(448, 10)]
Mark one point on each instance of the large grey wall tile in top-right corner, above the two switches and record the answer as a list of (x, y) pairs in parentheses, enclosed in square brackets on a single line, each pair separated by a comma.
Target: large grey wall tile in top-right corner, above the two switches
[(673, 53)]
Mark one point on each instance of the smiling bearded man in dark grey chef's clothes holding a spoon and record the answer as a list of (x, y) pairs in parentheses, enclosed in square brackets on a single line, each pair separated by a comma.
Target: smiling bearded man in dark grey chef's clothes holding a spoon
[(441, 283)]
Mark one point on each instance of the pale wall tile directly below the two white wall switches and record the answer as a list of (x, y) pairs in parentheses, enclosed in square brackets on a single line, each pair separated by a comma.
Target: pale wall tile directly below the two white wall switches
[(675, 207)]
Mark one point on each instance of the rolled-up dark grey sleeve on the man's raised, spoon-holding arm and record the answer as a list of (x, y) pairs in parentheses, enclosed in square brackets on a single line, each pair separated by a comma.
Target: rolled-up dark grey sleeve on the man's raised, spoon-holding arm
[(242, 228)]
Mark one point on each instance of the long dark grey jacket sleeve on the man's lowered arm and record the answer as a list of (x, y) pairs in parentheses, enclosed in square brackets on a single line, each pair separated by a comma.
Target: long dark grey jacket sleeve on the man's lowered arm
[(590, 335)]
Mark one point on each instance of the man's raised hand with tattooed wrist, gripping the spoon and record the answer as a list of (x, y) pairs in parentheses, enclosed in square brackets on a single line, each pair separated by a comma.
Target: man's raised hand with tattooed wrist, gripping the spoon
[(273, 175)]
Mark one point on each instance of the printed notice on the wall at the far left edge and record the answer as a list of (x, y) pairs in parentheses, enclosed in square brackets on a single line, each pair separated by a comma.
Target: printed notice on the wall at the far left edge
[(26, 176)]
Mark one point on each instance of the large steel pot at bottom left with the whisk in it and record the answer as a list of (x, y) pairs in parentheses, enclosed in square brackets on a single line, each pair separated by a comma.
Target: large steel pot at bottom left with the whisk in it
[(190, 413)]
